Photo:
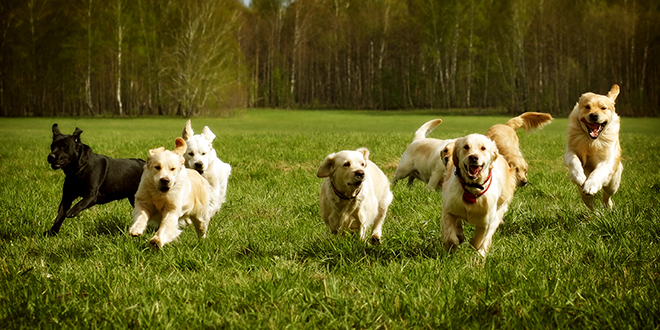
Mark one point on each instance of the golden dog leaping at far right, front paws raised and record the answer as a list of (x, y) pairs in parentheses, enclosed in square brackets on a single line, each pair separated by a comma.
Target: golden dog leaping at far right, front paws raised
[(593, 153)]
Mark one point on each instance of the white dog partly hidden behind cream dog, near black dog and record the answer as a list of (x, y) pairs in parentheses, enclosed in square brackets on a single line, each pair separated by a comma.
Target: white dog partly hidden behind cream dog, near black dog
[(201, 157)]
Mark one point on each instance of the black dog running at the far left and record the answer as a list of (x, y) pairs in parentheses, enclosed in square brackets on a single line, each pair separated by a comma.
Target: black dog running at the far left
[(98, 179)]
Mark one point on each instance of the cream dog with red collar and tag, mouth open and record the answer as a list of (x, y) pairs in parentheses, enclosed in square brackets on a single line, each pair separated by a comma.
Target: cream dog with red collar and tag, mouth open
[(478, 192)]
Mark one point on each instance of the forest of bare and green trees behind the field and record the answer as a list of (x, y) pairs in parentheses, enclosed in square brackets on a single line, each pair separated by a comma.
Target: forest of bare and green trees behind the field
[(210, 57)]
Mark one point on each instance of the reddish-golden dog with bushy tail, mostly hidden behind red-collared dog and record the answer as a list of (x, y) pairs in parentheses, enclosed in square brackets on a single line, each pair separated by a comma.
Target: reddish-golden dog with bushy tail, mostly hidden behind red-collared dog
[(506, 139)]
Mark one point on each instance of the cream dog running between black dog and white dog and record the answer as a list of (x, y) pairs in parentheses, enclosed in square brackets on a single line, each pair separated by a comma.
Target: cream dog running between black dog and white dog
[(170, 192)]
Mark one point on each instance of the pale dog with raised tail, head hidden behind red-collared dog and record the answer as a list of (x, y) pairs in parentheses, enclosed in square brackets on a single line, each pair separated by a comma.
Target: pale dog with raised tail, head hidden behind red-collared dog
[(422, 159)]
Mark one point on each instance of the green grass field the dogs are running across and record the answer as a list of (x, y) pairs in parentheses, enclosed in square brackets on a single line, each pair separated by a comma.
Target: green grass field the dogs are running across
[(268, 262)]
